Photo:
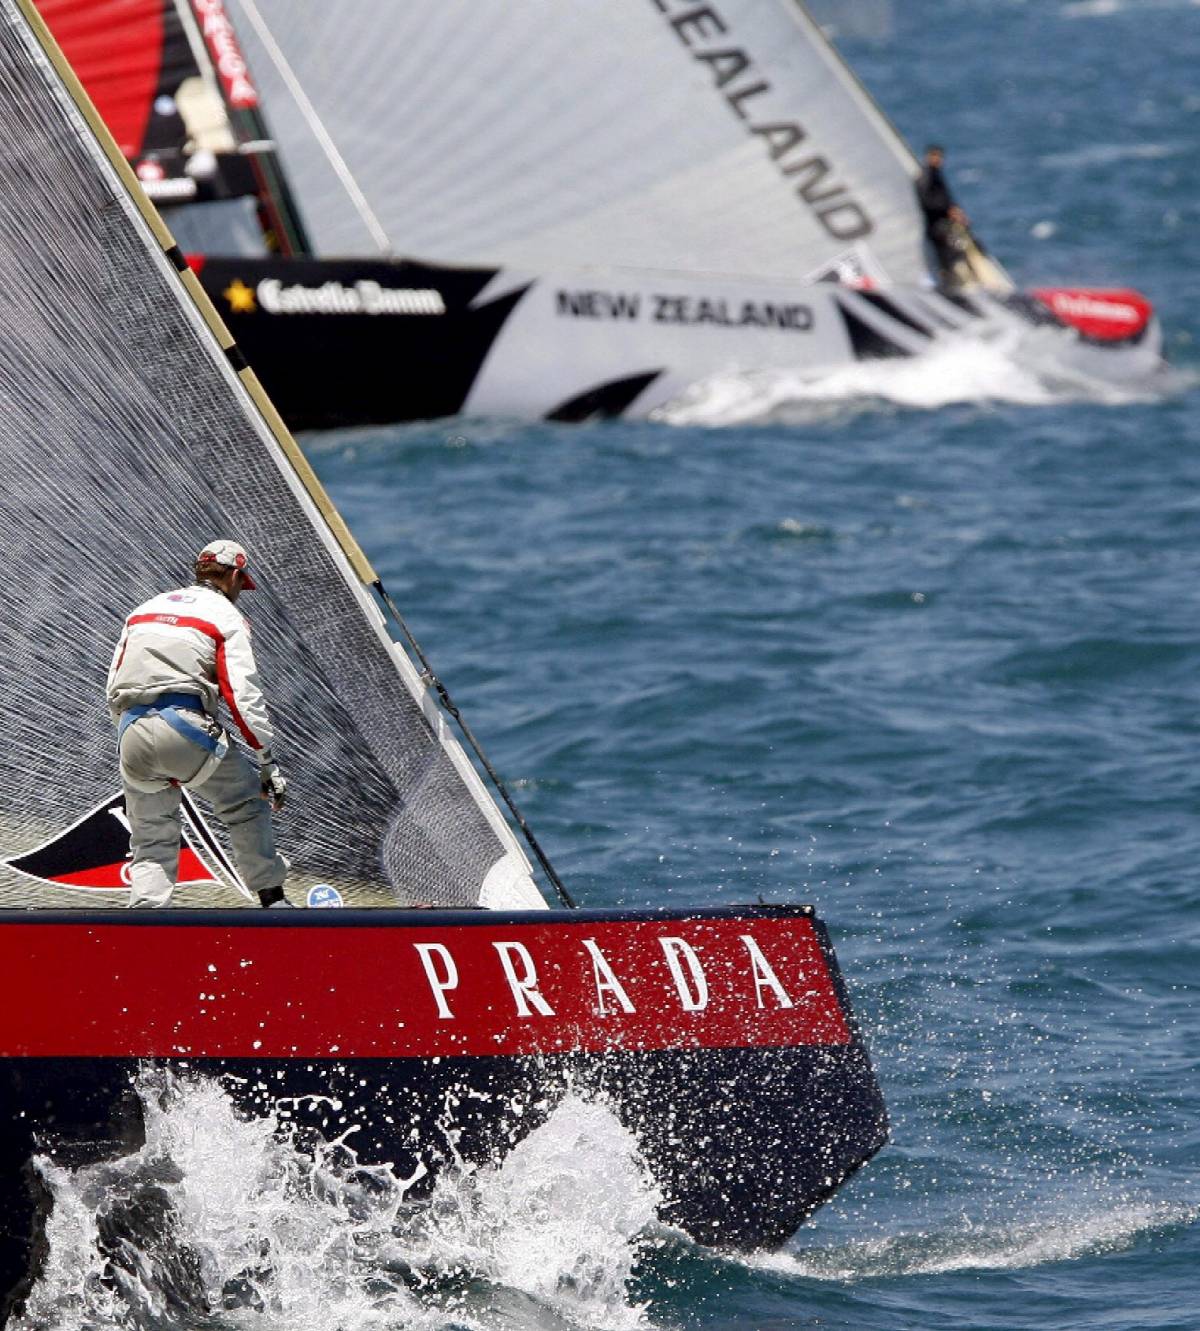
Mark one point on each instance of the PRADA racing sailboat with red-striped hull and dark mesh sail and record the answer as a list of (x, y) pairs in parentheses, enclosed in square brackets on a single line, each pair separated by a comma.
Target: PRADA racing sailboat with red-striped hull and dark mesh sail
[(430, 1000)]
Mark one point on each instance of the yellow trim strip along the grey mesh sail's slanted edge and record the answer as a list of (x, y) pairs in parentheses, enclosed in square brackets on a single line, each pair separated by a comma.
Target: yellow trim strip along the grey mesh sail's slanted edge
[(249, 380)]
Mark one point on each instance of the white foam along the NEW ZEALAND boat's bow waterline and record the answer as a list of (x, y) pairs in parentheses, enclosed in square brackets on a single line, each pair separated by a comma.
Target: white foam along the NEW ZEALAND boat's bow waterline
[(963, 372)]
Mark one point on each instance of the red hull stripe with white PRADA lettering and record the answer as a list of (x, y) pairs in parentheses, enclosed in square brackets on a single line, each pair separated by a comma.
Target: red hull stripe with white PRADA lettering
[(414, 992)]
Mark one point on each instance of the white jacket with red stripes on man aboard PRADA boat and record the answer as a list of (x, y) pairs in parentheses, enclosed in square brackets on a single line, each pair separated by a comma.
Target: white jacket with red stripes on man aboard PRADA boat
[(192, 641)]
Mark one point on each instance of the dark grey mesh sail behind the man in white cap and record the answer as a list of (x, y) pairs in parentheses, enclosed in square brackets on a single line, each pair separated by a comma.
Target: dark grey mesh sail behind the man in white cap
[(127, 444)]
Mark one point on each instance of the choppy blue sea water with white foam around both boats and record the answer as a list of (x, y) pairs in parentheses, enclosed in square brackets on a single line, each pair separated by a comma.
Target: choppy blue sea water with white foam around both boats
[(921, 646)]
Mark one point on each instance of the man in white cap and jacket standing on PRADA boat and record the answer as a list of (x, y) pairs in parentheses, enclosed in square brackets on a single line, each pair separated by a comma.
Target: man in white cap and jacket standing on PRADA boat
[(178, 657)]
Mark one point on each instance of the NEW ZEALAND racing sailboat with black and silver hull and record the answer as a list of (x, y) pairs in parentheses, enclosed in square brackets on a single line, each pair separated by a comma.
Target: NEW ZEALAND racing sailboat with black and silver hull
[(547, 211)]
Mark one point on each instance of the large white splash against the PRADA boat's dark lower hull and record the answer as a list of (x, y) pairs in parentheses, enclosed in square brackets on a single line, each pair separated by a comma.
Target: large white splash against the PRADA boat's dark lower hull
[(223, 1223)]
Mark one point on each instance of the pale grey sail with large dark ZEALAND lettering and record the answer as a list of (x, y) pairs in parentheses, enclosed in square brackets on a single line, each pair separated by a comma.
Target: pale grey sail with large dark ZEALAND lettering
[(726, 138)]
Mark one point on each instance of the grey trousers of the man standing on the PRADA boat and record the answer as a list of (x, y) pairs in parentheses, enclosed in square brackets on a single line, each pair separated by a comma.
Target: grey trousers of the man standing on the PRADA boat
[(152, 758)]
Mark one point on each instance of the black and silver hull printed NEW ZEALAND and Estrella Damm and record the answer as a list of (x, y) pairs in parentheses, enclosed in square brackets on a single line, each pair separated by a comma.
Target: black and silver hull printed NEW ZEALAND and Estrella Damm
[(361, 341)]
